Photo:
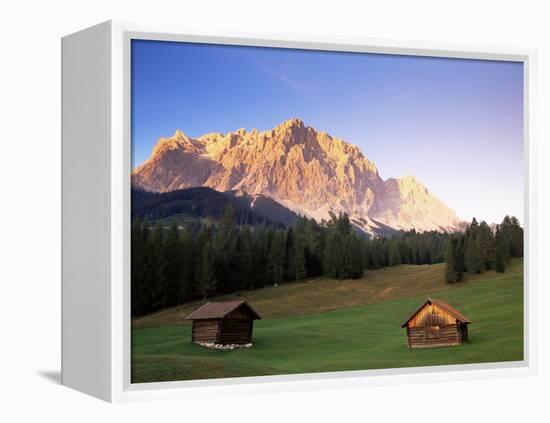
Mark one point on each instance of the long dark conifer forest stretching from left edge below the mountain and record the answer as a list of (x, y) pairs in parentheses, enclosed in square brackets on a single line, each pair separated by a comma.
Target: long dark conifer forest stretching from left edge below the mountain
[(178, 263)]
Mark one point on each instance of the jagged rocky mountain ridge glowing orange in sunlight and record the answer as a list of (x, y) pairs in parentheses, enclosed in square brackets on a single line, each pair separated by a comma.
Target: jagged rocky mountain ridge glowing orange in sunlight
[(307, 171)]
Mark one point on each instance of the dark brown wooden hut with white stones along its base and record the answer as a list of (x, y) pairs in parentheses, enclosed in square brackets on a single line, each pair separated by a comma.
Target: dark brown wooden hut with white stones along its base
[(228, 322)]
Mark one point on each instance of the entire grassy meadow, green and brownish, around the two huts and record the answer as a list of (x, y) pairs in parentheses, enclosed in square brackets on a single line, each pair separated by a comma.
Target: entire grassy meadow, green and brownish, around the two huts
[(328, 325)]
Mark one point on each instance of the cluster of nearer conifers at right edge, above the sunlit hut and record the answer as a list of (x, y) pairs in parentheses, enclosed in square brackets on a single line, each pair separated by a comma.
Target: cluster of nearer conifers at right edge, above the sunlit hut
[(480, 248)]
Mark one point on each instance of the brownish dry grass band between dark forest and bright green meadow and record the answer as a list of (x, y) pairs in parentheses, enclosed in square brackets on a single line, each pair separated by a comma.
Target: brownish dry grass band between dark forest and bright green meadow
[(322, 294)]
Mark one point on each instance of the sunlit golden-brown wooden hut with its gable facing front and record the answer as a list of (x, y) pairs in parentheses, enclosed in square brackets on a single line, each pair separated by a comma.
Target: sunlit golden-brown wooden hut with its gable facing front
[(436, 324)]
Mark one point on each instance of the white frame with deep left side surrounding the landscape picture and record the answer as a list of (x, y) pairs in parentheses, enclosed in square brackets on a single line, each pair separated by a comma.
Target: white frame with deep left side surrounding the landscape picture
[(96, 254)]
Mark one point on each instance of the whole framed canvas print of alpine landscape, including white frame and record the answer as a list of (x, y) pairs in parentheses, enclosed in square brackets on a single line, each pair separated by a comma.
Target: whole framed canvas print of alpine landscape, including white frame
[(246, 212)]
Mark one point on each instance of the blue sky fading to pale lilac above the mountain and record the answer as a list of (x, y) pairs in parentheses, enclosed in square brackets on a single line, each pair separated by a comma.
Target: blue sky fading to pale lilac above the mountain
[(455, 124)]
